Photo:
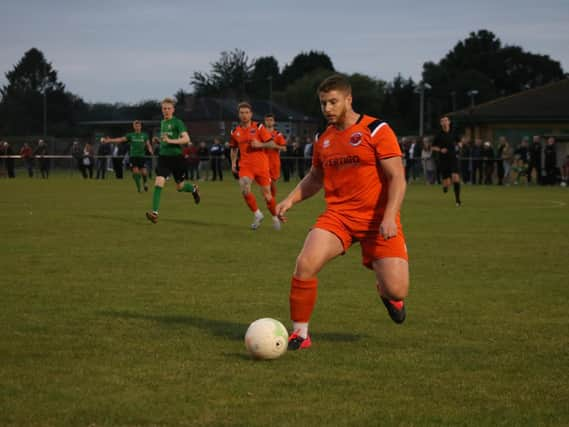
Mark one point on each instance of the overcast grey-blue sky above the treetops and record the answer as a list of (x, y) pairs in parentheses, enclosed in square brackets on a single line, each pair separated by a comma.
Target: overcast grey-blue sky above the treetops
[(128, 51)]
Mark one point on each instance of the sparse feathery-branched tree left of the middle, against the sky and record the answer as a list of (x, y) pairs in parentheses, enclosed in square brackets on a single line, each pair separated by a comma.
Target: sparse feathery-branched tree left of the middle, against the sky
[(229, 76)]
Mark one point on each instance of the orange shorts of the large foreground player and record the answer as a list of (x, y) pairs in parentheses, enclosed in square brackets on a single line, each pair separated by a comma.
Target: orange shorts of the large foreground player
[(372, 244)]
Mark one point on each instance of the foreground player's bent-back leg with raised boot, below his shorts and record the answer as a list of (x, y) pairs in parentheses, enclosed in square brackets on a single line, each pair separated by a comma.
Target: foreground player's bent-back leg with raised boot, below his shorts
[(392, 275)]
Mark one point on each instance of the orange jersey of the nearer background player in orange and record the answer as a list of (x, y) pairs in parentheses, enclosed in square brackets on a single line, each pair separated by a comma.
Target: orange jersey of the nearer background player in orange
[(241, 138)]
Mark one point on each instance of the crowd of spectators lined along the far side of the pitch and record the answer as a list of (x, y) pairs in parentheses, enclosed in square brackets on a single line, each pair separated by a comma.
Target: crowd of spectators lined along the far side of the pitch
[(480, 162)]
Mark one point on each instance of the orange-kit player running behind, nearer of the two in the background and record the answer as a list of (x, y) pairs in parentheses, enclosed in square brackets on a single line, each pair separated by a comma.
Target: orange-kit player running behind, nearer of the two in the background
[(250, 139)]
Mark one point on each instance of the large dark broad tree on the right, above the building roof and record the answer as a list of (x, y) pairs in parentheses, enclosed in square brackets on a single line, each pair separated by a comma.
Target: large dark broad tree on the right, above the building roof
[(480, 62)]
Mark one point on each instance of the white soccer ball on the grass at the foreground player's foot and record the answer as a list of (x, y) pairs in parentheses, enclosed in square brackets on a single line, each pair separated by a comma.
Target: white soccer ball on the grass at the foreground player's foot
[(266, 339)]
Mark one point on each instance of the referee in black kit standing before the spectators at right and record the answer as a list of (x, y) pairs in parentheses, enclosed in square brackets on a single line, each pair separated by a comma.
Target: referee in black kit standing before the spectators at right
[(444, 143)]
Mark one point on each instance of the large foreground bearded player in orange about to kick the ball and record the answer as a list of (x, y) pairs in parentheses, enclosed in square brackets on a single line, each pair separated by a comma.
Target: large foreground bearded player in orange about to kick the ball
[(358, 162)]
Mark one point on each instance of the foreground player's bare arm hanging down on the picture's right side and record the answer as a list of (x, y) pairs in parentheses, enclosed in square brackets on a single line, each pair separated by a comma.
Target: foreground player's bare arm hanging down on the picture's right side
[(395, 175)]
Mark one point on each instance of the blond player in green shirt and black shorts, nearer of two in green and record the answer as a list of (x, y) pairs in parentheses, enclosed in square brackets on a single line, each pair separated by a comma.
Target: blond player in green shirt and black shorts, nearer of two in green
[(173, 135)]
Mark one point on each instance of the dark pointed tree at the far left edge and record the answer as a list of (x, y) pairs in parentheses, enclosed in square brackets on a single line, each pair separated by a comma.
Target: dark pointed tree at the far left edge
[(22, 105)]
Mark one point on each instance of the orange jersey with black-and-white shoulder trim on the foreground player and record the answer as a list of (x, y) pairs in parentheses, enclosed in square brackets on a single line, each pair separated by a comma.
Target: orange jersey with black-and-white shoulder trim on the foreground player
[(349, 159)]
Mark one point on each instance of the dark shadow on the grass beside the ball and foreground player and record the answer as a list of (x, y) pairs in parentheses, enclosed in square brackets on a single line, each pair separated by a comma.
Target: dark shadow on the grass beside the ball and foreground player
[(222, 328)]
